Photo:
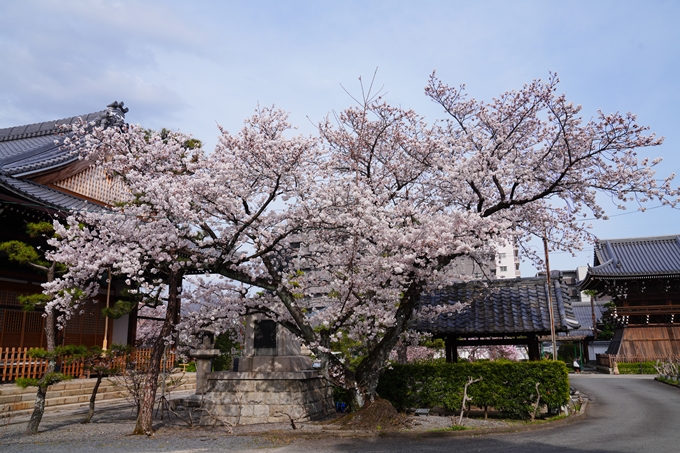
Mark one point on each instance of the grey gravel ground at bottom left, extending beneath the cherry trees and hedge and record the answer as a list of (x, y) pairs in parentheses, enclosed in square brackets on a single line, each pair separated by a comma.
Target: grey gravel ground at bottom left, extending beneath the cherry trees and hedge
[(110, 429)]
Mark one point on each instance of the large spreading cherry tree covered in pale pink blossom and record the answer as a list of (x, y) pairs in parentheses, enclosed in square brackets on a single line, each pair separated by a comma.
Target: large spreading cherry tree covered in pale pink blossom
[(335, 237)]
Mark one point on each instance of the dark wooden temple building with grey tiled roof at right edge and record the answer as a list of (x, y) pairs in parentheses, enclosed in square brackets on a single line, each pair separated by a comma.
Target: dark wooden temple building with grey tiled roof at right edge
[(642, 276)]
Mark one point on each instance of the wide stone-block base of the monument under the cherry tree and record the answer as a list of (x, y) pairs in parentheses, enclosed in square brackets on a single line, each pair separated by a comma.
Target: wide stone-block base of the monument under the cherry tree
[(246, 398)]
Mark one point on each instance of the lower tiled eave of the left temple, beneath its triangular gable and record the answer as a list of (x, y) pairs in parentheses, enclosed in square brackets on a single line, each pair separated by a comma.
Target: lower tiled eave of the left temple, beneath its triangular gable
[(44, 196)]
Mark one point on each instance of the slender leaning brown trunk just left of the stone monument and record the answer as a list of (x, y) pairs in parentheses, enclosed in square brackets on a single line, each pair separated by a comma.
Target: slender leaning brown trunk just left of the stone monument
[(148, 398)]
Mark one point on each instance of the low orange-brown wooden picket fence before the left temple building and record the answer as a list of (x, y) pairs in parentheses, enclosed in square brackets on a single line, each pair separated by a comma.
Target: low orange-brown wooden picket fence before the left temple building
[(15, 363)]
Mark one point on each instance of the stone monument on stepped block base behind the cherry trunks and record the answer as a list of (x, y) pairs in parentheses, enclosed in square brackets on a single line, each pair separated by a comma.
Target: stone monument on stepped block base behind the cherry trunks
[(272, 382)]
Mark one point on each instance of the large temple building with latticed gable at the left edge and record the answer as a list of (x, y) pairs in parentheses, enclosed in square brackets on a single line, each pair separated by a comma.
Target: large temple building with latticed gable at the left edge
[(40, 180)]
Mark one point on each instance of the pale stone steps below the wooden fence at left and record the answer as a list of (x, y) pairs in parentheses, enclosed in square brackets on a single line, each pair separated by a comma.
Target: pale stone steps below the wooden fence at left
[(70, 394)]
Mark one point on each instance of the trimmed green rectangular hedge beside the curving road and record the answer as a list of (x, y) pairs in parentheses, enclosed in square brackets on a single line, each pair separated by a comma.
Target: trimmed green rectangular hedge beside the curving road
[(509, 387)]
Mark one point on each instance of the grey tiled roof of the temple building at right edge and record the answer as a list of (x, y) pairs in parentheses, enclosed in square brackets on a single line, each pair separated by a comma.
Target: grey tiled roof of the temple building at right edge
[(636, 257)]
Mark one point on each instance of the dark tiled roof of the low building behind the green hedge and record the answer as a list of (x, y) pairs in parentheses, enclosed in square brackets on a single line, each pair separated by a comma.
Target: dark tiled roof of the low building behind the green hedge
[(498, 307)]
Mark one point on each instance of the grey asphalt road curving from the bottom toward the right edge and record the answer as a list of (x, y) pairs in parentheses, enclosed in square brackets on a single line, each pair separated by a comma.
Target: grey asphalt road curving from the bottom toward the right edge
[(627, 414)]
